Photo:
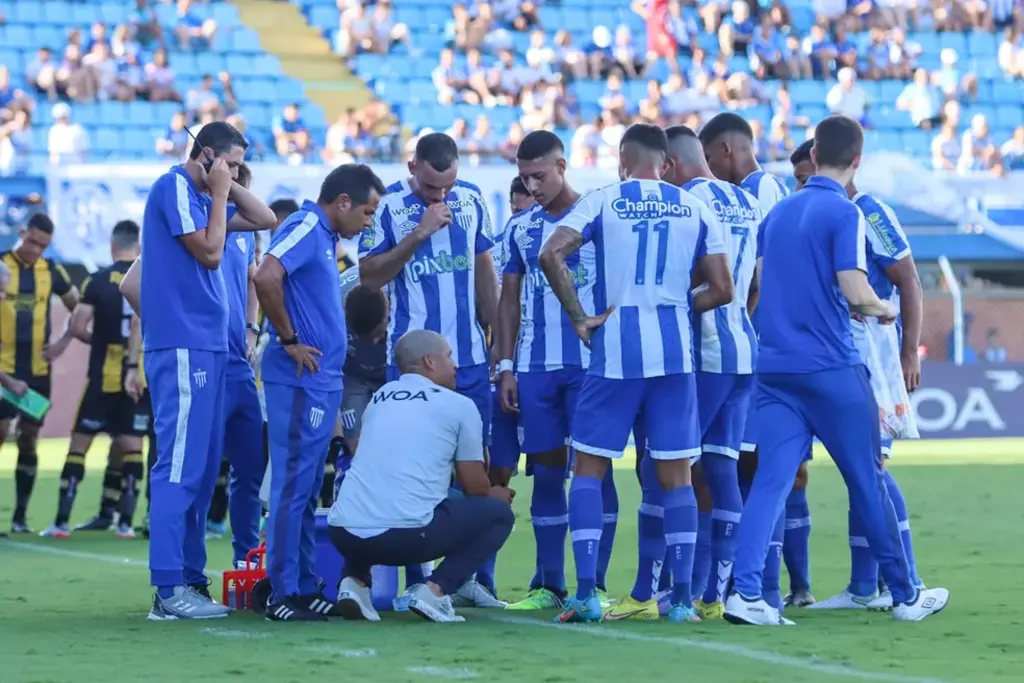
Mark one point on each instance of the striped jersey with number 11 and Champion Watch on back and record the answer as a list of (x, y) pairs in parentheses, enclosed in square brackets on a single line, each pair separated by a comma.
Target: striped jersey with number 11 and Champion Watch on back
[(648, 236)]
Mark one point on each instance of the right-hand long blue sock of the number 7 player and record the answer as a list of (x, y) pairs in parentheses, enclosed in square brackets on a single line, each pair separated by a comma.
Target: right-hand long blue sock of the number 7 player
[(722, 478)]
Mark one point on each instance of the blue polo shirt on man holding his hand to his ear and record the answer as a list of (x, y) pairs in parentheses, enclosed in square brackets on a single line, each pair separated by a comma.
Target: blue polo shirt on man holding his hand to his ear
[(185, 305)]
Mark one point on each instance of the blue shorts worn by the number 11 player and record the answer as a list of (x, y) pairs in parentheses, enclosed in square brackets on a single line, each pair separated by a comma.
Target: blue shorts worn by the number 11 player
[(666, 408)]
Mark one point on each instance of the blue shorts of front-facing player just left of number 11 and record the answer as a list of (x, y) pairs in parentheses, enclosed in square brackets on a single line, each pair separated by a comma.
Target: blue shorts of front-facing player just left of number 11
[(547, 408)]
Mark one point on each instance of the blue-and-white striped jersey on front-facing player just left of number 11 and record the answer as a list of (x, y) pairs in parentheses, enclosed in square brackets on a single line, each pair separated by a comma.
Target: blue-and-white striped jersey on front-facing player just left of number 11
[(547, 338)]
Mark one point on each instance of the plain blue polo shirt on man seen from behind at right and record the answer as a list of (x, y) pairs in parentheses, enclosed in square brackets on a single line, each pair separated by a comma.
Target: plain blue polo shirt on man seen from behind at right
[(804, 242)]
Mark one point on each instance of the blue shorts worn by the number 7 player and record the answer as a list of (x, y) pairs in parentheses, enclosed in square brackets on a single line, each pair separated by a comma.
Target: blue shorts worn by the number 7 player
[(723, 401)]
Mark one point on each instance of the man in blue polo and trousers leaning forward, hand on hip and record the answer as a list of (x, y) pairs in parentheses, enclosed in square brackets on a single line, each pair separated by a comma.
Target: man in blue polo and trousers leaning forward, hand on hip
[(300, 291)]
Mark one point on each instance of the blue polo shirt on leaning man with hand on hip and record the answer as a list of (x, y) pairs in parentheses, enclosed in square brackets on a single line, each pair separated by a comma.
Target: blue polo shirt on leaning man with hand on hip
[(306, 246)]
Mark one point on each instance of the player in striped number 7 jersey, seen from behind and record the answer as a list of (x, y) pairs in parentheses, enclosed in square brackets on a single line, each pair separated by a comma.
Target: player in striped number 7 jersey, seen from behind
[(726, 359)]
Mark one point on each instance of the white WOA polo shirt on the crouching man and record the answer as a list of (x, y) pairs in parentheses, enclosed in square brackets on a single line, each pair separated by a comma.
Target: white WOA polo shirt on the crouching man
[(414, 432)]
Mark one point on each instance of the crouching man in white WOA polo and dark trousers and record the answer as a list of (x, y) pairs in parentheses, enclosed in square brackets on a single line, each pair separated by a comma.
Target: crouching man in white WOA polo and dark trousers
[(394, 507)]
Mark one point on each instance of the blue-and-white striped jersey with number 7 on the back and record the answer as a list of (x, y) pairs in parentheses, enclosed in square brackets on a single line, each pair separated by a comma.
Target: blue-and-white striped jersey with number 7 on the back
[(729, 345)]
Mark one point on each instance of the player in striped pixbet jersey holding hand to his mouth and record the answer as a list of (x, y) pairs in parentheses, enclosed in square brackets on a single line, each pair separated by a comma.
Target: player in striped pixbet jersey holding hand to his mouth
[(431, 245)]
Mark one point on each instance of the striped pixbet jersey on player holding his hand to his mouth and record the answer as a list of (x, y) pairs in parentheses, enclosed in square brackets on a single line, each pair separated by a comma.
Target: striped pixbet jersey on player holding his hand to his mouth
[(437, 289)]
